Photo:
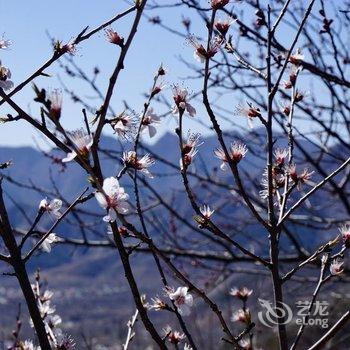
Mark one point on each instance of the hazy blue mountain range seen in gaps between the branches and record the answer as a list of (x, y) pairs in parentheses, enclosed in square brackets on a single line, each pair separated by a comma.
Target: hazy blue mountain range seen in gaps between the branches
[(91, 293)]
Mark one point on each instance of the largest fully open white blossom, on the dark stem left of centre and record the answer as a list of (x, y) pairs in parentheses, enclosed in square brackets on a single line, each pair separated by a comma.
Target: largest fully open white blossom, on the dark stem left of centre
[(113, 199)]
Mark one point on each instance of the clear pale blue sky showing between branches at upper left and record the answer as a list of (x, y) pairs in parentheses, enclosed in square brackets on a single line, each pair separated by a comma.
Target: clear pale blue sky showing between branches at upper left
[(26, 24)]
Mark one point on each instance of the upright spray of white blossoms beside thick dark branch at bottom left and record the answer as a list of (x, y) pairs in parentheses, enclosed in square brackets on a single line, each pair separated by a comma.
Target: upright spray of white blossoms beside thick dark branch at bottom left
[(52, 321)]
